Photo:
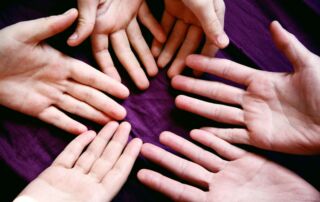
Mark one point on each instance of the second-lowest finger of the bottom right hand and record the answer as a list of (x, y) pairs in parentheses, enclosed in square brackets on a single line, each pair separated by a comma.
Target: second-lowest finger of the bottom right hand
[(184, 169)]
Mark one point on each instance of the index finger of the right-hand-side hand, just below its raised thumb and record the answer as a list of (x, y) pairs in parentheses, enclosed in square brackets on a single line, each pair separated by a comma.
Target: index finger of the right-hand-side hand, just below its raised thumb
[(223, 68)]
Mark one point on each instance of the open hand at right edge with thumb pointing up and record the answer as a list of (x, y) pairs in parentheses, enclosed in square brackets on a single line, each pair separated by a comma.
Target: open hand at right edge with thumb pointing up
[(279, 110)]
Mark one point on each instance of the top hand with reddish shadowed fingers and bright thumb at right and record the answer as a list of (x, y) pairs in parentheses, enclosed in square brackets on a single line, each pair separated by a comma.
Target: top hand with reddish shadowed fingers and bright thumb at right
[(184, 19)]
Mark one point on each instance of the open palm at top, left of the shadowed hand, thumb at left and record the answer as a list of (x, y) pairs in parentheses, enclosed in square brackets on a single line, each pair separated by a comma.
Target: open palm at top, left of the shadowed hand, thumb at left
[(115, 22)]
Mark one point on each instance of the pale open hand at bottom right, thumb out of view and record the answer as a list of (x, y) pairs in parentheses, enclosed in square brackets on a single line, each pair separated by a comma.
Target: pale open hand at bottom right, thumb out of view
[(240, 176)]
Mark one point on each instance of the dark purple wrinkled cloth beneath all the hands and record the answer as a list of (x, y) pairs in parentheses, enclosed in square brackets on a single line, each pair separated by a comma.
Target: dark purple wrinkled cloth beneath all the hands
[(27, 146)]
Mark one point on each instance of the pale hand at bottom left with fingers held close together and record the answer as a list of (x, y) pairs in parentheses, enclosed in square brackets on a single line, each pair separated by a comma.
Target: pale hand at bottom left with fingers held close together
[(93, 174)]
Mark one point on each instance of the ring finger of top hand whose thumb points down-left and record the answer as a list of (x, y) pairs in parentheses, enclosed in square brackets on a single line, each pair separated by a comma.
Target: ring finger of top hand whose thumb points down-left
[(141, 47)]
